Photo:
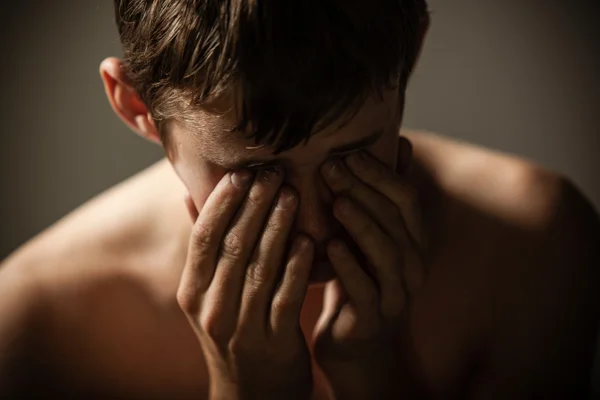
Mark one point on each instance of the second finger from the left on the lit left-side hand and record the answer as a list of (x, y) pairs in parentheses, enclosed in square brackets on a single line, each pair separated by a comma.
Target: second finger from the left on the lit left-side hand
[(241, 238)]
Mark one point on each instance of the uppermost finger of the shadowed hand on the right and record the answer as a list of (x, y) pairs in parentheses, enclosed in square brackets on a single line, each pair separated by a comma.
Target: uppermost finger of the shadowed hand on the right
[(385, 181)]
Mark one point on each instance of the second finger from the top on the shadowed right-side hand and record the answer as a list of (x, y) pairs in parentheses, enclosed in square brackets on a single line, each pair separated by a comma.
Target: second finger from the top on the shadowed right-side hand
[(341, 181)]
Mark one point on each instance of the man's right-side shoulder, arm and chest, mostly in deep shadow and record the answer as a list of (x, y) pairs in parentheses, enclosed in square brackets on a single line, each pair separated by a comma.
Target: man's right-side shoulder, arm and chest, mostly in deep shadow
[(530, 238)]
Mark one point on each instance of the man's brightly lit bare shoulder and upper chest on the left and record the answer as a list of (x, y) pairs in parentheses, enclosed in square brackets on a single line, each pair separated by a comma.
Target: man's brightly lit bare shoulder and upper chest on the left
[(92, 295)]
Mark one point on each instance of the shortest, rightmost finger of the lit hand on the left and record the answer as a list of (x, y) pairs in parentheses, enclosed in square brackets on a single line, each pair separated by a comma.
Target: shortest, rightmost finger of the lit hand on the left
[(289, 297)]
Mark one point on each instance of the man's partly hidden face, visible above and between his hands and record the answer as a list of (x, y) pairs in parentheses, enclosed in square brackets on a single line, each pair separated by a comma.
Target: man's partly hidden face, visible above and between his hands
[(203, 155)]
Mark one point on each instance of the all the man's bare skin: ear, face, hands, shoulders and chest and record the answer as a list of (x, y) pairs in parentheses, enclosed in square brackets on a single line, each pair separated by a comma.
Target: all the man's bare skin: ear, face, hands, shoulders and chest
[(135, 307)]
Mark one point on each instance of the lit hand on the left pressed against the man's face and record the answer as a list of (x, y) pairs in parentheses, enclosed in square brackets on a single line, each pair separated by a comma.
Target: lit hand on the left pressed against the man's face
[(242, 292)]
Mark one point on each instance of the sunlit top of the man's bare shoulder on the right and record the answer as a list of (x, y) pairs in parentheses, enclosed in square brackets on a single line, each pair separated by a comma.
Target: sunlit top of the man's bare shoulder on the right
[(508, 186)]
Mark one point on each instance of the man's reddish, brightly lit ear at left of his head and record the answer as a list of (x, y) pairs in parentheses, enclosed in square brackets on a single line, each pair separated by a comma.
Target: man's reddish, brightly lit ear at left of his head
[(125, 101)]
